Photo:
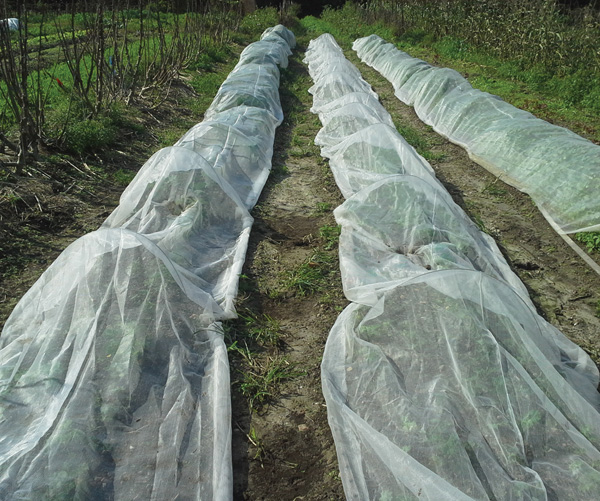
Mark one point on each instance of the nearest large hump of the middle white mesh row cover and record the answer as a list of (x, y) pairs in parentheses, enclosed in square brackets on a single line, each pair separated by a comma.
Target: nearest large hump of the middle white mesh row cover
[(450, 387)]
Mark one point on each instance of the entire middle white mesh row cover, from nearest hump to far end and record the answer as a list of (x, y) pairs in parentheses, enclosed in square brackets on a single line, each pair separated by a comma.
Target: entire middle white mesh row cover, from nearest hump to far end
[(441, 380)]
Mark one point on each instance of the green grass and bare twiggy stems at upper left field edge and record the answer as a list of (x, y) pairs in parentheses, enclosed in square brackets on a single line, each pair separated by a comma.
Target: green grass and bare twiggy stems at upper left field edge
[(69, 81)]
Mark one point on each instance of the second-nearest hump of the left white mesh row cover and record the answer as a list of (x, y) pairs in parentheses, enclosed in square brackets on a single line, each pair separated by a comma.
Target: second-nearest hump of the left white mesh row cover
[(178, 202)]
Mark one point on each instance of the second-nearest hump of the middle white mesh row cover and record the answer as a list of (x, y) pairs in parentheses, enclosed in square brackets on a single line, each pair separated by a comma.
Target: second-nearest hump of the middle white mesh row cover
[(399, 227)]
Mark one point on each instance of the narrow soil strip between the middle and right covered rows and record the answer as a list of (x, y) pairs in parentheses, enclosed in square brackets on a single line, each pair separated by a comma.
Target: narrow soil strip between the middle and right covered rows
[(564, 289)]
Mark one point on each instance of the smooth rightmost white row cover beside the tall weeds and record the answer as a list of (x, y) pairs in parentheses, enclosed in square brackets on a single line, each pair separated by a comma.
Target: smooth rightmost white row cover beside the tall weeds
[(557, 168)]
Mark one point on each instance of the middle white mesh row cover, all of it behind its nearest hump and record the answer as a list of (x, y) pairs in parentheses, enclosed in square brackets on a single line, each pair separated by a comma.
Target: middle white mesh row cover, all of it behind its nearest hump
[(417, 224)]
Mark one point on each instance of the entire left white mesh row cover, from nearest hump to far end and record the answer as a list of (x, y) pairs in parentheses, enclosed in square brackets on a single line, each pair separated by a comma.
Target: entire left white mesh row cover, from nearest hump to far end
[(113, 370)]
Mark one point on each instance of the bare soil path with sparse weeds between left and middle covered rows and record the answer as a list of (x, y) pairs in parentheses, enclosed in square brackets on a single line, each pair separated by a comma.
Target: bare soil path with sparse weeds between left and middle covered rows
[(285, 449)]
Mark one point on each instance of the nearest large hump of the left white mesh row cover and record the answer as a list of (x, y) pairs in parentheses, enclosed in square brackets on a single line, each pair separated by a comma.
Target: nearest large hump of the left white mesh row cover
[(113, 382)]
